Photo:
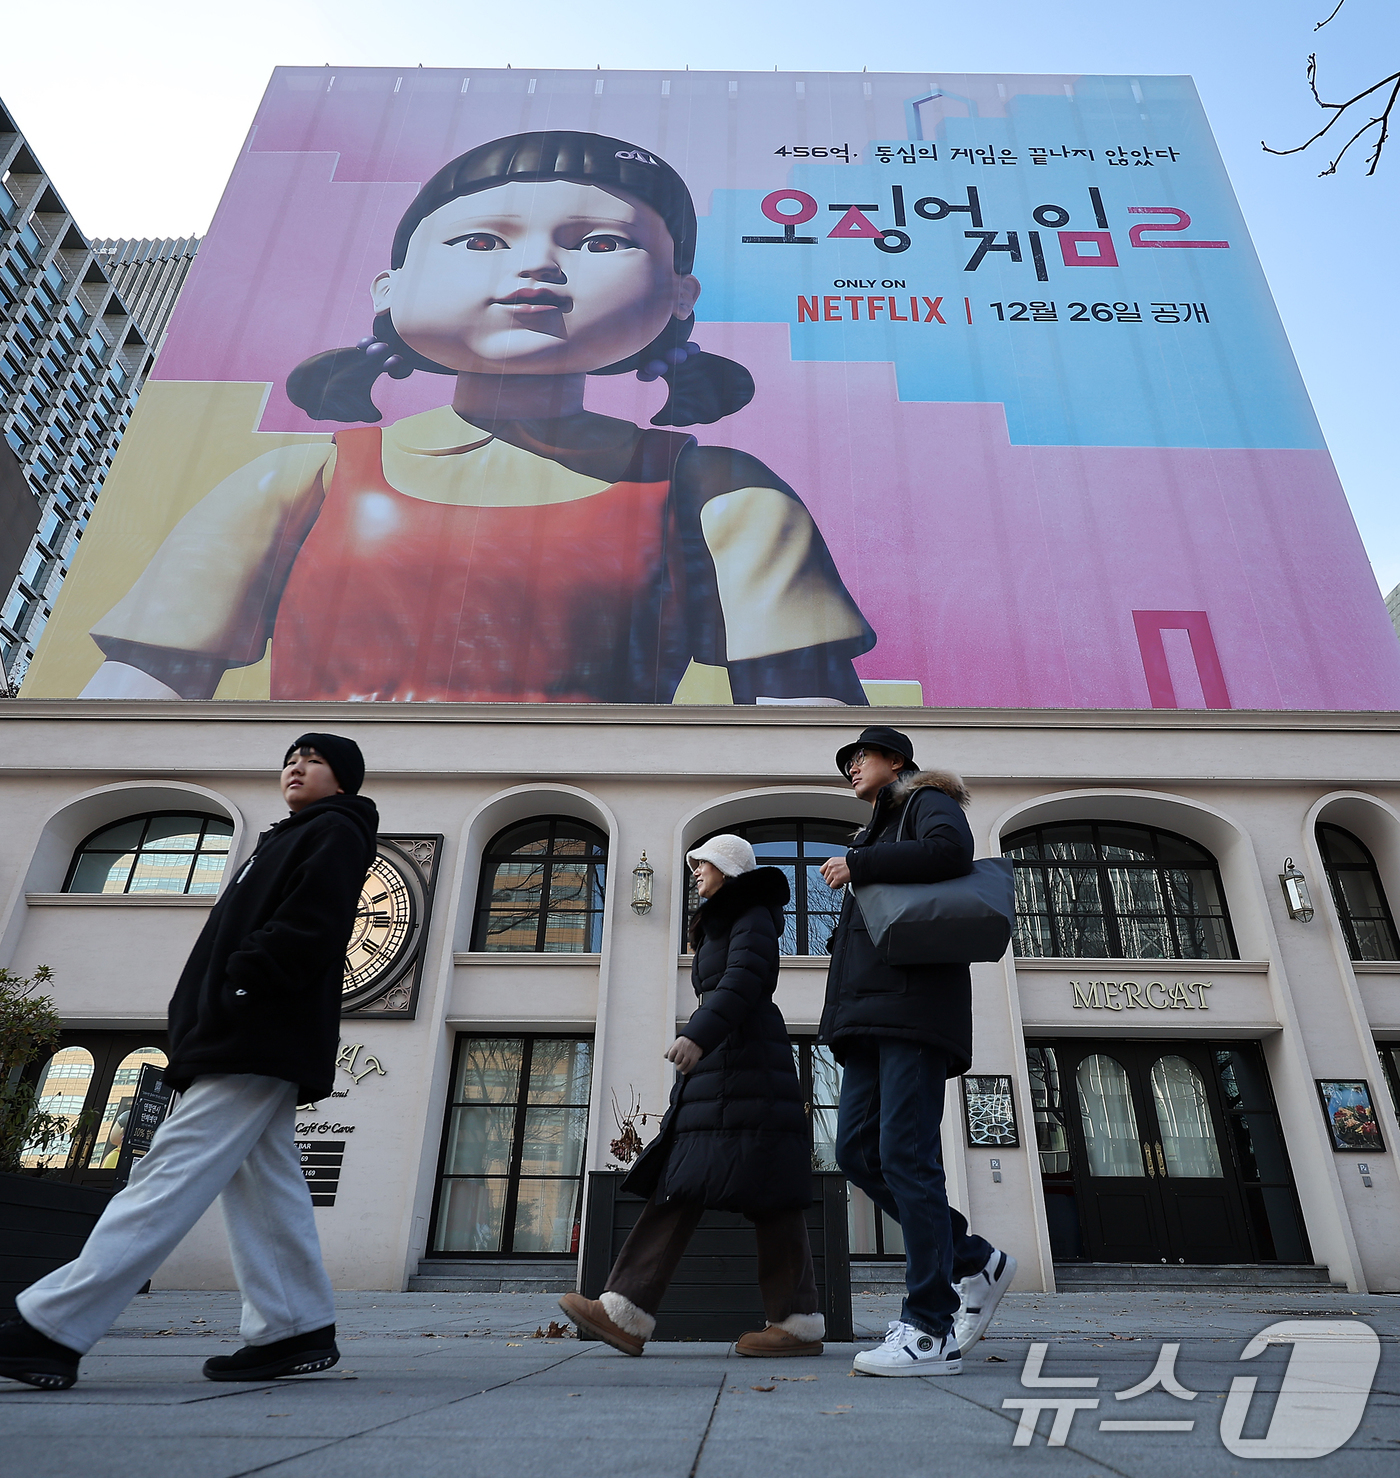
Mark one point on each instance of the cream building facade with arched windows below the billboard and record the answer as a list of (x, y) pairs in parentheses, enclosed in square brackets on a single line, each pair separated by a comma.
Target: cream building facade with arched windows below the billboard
[(1185, 1060)]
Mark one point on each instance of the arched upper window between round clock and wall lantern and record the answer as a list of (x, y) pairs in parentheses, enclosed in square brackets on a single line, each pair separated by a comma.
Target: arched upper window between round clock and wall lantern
[(543, 889)]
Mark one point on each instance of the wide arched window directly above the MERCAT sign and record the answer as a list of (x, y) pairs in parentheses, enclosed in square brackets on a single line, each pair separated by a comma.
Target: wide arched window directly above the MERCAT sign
[(1105, 890)]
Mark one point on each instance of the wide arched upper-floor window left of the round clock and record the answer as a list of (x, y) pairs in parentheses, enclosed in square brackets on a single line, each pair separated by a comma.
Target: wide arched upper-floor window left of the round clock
[(169, 852)]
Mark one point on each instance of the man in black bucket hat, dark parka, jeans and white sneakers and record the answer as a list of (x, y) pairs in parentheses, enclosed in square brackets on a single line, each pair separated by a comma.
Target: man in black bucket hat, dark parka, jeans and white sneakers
[(900, 1035)]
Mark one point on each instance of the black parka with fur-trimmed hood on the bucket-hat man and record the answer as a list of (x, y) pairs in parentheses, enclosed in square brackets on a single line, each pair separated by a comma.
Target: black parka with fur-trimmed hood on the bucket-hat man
[(928, 1003)]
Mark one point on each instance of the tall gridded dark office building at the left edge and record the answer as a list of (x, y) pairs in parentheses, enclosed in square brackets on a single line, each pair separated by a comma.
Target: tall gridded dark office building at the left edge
[(73, 358)]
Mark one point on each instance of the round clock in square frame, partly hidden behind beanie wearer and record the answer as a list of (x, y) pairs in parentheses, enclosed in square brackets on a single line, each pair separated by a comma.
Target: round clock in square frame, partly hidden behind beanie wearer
[(385, 957)]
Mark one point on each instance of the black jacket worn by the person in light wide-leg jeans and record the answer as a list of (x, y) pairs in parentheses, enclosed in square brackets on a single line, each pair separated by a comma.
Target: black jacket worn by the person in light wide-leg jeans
[(261, 991)]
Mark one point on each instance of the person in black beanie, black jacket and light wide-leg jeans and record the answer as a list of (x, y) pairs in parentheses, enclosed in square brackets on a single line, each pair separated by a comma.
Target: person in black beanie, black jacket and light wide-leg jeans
[(255, 1025)]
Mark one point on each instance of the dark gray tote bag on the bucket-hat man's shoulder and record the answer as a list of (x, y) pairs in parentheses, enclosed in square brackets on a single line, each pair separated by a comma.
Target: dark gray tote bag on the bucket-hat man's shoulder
[(950, 923)]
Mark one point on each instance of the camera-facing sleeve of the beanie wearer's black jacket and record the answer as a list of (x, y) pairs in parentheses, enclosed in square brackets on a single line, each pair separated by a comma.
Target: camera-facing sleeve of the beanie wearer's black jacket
[(314, 917)]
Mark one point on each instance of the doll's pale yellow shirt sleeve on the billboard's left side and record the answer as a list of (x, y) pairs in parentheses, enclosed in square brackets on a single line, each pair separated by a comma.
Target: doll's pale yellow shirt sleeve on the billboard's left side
[(212, 588)]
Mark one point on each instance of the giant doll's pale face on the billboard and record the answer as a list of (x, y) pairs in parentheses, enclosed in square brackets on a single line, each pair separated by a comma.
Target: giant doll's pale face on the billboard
[(536, 279)]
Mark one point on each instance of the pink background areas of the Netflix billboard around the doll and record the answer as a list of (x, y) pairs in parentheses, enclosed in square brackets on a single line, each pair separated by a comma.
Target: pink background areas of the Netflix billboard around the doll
[(994, 574)]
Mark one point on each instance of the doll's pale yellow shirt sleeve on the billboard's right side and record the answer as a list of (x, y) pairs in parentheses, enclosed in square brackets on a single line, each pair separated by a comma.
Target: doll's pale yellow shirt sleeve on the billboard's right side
[(780, 590)]
